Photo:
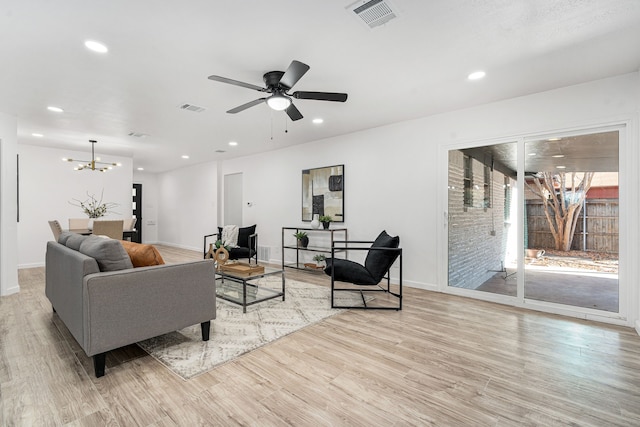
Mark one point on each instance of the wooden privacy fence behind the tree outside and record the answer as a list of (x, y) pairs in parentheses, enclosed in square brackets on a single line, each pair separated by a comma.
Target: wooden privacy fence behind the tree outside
[(598, 231)]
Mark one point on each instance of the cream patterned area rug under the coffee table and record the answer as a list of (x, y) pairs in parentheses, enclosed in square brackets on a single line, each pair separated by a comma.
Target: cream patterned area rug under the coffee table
[(234, 333)]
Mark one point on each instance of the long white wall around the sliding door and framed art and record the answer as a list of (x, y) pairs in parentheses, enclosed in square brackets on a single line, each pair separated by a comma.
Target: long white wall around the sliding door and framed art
[(395, 176)]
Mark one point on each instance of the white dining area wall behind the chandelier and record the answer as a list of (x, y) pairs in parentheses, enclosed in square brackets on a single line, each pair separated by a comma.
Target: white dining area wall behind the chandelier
[(47, 184)]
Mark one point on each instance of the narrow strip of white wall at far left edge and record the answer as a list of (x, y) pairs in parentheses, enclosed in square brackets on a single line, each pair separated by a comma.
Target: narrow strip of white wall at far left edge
[(8, 205)]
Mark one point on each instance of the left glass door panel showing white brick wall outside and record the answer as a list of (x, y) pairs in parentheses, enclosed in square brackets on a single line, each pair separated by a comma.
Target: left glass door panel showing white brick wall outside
[(482, 235)]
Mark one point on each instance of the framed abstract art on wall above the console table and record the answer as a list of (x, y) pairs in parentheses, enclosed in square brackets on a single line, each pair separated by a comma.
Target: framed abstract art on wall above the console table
[(323, 192)]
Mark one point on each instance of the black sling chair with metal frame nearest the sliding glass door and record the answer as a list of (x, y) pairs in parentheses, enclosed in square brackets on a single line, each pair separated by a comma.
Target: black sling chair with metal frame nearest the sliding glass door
[(382, 253)]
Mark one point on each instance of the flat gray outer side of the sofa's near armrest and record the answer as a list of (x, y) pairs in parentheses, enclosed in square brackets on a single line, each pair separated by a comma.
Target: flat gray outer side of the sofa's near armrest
[(127, 306)]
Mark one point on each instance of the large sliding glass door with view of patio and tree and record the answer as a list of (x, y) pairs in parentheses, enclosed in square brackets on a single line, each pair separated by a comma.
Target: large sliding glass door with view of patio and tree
[(536, 220)]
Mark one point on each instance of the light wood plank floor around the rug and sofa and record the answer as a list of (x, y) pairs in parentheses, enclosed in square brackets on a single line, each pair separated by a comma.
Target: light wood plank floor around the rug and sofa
[(443, 360)]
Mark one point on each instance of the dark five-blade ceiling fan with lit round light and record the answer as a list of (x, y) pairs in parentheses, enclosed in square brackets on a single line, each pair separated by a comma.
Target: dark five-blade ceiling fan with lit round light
[(278, 84)]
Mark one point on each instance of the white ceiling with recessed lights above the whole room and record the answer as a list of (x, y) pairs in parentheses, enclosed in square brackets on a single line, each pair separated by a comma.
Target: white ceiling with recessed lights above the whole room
[(161, 52)]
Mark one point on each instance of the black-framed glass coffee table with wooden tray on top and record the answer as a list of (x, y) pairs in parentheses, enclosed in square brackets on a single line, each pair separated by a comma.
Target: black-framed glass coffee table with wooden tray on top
[(241, 288)]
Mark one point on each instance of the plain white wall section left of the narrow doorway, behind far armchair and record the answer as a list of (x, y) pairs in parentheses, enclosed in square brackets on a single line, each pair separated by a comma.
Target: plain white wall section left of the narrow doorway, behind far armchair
[(187, 205)]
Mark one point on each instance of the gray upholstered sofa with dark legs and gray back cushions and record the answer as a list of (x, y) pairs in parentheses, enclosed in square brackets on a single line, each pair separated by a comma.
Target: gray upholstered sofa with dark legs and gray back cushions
[(106, 303)]
